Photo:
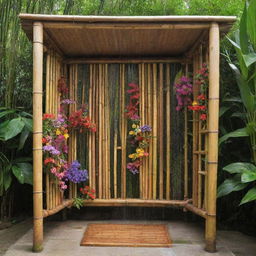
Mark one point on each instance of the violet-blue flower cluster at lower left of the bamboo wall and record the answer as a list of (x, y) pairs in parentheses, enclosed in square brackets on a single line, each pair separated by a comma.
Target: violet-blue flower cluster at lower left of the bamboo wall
[(75, 174)]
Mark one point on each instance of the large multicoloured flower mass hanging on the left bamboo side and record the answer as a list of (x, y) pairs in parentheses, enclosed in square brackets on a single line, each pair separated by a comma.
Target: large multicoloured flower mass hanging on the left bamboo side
[(56, 132)]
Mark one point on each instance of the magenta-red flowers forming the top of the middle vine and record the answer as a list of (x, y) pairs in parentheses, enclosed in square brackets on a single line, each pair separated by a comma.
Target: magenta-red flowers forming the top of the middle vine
[(132, 108)]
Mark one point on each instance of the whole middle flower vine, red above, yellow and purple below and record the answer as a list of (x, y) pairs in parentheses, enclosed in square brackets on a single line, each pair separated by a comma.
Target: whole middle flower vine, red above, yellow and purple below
[(140, 134)]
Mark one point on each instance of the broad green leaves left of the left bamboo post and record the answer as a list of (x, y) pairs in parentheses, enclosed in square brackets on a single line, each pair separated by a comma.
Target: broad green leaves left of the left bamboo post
[(15, 128)]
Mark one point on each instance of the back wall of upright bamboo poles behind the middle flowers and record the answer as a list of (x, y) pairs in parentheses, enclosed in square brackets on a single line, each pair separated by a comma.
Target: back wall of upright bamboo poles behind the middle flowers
[(105, 153)]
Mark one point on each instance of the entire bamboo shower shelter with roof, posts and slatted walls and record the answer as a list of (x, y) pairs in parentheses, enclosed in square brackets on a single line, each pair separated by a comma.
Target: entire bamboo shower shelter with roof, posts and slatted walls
[(99, 56)]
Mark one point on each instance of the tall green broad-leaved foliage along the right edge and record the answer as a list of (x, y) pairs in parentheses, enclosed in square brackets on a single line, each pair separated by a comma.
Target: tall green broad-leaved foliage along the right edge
[(244, 44)]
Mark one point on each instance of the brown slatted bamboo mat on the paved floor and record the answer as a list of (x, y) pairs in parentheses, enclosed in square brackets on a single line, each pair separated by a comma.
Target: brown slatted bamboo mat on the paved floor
[(129, 235)]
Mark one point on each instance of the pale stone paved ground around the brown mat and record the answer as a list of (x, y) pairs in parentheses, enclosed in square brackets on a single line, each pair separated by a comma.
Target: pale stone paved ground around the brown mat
[(63, 238)]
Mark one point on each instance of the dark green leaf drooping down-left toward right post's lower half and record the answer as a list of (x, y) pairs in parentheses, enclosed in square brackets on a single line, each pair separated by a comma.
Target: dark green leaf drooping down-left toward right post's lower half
[(231, 185)]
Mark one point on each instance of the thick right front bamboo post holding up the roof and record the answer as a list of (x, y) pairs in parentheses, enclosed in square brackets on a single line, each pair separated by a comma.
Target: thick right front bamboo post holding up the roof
[(213, 122)]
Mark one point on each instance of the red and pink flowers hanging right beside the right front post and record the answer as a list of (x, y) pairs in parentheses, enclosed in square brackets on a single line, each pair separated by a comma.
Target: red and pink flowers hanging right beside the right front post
[(200, 103)]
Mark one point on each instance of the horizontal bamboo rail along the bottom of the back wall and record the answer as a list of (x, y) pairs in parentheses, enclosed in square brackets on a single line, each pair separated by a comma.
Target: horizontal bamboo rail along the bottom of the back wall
[(136, 202)]
